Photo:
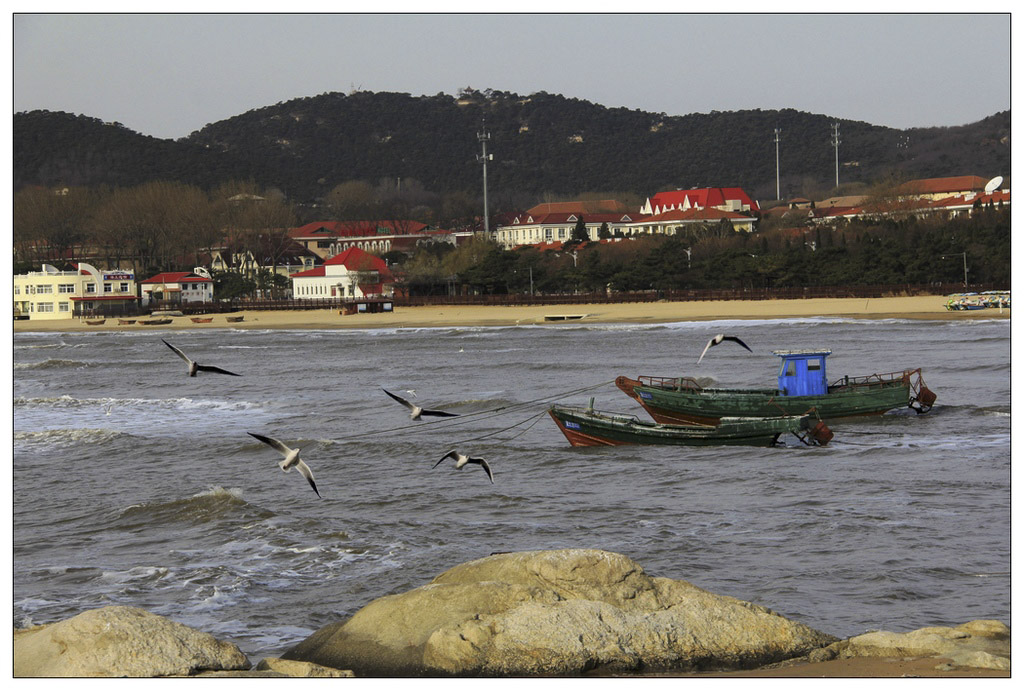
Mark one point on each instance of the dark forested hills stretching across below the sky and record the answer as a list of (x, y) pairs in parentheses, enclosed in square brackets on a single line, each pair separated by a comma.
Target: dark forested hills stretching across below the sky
[(543, 145)]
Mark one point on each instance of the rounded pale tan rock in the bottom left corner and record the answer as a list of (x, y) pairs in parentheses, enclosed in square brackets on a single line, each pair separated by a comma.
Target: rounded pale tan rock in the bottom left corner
[(120, 642)]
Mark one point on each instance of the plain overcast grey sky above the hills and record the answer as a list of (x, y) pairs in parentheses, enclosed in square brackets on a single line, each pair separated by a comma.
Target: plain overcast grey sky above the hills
[(169, 75)]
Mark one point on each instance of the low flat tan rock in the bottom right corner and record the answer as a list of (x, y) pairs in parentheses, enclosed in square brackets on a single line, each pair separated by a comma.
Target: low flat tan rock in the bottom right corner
[(983, 643)]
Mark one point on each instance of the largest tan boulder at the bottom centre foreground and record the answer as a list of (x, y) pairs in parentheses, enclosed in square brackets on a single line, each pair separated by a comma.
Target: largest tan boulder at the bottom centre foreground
[(558, 613)]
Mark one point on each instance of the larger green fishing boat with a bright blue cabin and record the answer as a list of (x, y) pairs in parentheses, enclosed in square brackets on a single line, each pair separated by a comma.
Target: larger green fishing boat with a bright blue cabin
[(802, 385)]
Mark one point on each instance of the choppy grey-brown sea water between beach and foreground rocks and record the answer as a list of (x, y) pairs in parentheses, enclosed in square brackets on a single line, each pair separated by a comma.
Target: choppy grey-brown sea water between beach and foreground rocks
[(136, 485)]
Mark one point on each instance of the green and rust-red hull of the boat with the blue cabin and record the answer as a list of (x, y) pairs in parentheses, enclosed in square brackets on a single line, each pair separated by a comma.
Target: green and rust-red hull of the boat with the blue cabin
[(684, 405)]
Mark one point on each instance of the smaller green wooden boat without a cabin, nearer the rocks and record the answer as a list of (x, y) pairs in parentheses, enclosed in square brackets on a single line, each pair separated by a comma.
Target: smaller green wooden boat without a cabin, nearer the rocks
[(587, 427)]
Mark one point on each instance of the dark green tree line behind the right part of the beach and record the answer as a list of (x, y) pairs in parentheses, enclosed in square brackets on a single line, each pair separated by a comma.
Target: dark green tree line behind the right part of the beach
[(912, 250)]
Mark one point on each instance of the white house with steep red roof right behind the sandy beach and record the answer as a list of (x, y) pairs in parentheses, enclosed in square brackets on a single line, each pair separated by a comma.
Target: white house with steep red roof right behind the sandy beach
[(354, 274)]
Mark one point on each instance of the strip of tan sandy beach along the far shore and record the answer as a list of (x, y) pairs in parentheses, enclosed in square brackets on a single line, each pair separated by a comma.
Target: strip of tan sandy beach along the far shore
[(916, 308)]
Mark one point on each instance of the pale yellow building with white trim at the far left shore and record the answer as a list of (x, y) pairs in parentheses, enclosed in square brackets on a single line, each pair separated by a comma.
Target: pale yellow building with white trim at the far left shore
[(51, 294)]
